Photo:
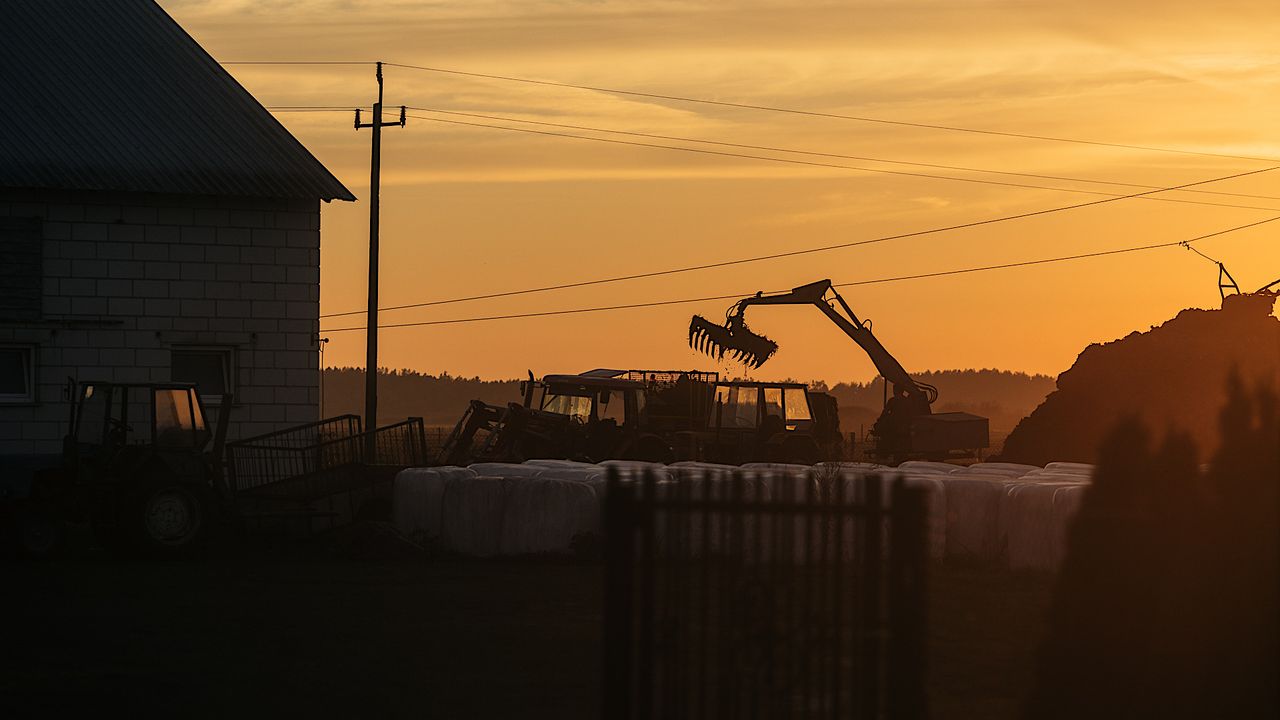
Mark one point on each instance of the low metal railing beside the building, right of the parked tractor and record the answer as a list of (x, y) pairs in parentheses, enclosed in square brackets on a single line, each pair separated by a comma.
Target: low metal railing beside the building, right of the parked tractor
[(298, 461)]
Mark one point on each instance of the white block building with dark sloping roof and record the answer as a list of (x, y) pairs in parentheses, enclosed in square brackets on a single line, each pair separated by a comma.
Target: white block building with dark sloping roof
[(157, 224)]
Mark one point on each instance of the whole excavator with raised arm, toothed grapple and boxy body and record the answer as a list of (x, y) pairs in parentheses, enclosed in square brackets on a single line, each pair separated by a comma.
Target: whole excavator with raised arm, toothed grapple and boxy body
[(907, 429)]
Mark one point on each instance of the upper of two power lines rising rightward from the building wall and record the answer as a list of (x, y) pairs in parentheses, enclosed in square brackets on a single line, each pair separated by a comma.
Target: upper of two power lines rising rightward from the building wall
[(806, 252)]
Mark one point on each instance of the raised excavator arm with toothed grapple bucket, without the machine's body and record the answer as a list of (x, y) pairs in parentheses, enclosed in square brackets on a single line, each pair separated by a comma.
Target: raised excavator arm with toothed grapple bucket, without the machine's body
[(753, 349)]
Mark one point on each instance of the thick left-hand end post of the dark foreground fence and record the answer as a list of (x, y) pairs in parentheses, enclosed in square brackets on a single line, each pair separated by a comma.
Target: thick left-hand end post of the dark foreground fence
[(619, 523)]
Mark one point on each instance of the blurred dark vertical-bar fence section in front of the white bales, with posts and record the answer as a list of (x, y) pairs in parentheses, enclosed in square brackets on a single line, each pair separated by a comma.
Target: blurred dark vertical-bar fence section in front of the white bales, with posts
[(765, 598)]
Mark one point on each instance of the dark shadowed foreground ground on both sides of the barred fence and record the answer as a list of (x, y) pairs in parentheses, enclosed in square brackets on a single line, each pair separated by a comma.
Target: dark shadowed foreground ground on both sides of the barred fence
[(413, 639)]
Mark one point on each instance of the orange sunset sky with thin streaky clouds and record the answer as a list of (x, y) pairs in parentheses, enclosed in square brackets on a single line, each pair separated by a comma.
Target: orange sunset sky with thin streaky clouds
[(472, 211)]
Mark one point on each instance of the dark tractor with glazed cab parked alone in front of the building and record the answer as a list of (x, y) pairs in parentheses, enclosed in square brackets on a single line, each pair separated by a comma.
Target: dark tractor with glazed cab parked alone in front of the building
[(135, 467)]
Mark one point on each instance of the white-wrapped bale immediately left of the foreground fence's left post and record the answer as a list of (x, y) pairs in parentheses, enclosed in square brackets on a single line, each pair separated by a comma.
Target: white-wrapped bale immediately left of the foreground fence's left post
[(545, 516)]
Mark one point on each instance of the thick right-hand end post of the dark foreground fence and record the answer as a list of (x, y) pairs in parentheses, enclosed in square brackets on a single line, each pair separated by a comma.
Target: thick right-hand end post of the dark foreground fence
[(908, 603)]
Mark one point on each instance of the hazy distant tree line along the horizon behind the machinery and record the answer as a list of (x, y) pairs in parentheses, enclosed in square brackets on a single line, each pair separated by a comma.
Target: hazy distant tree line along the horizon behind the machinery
[(1004, 397)]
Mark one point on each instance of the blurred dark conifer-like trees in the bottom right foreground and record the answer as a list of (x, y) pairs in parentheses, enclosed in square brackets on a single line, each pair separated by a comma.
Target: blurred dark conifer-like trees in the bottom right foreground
[(1167, 605)]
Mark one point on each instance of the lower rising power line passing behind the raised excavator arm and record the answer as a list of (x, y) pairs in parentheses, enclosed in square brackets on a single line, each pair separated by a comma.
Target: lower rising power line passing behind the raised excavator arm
[(877, 281)]
